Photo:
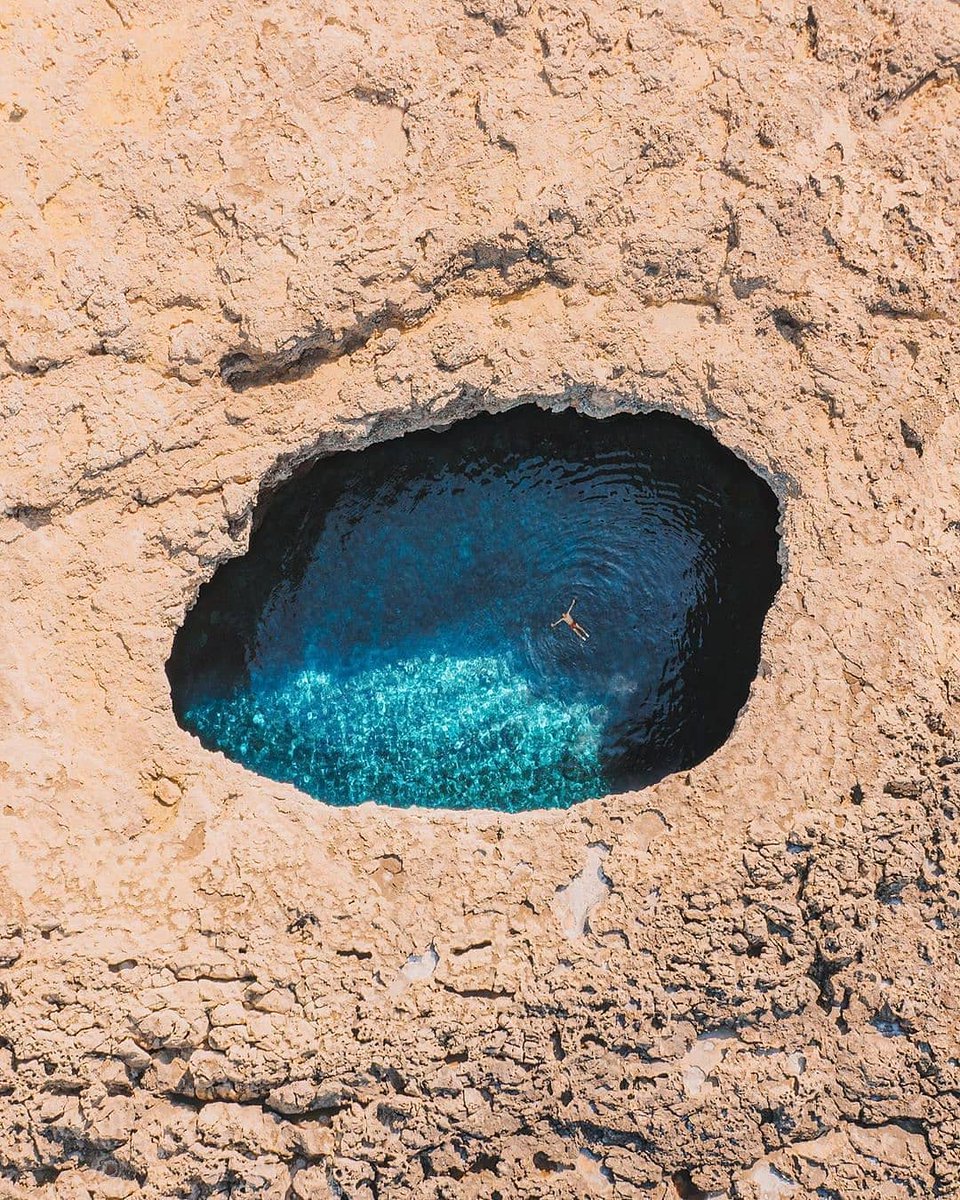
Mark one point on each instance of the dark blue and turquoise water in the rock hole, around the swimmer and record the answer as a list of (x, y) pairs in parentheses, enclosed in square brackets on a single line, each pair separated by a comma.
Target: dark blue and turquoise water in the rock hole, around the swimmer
[(388, 635)]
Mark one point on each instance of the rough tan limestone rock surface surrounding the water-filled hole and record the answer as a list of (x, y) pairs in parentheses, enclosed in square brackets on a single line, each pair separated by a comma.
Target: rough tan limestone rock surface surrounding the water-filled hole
[(237, 236)]
